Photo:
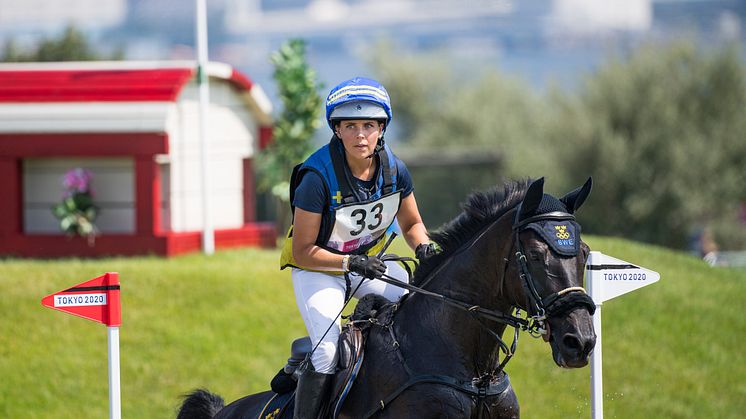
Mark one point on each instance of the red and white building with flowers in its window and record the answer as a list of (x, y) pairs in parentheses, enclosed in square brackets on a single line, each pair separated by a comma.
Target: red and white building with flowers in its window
[(135, 126)]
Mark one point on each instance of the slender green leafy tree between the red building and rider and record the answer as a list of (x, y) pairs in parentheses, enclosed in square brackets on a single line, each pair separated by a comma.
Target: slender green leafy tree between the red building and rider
[(298, 90)]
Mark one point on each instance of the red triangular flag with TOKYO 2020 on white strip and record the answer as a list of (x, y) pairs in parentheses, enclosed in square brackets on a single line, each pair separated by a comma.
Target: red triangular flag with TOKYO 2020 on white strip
[(97, 300)]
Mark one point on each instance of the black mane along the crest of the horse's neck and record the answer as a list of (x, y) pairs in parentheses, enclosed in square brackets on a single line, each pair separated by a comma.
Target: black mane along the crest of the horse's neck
[(479, 210)]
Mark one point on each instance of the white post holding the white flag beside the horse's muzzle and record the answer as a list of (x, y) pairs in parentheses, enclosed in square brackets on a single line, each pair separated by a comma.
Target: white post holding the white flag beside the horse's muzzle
[(594, 282)]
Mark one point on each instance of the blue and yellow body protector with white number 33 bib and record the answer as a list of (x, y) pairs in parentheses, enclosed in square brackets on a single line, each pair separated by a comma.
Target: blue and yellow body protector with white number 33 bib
[(350, 224)]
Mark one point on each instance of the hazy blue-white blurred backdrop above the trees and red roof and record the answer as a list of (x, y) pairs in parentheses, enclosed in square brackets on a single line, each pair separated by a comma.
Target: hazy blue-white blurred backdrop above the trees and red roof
[(541, 41)]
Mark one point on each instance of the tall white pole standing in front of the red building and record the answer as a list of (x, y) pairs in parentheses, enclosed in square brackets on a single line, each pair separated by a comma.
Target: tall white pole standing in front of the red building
[(208, 236)]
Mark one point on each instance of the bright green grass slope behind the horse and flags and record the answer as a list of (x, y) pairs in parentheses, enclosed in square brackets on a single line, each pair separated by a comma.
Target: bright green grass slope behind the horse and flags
[(671, 350)]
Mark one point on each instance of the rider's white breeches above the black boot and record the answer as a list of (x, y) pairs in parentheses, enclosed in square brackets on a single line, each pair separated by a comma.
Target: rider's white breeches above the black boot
[(320, 298)]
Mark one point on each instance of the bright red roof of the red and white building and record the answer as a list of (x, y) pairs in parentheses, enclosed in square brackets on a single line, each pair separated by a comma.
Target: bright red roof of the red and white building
[(67, 84)]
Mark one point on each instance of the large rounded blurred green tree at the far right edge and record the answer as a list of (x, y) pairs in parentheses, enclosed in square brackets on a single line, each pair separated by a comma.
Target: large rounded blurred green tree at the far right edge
[(661, 130)]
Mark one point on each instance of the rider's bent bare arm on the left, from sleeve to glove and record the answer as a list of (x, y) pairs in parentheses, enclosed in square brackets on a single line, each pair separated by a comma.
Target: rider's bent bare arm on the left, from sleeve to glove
[(305, 252)]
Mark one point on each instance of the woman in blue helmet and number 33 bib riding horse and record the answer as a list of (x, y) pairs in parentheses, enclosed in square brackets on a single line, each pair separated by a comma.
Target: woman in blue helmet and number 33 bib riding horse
[(345, 197)]
